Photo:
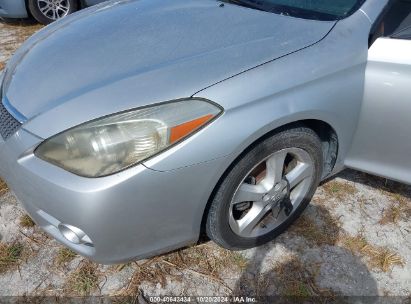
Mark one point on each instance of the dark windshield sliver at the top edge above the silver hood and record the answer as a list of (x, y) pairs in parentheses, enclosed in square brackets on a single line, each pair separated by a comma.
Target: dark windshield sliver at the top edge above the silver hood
[(308, 9)]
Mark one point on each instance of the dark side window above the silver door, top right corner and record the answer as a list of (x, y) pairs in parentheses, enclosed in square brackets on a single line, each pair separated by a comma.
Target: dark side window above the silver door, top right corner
[(394, 22)]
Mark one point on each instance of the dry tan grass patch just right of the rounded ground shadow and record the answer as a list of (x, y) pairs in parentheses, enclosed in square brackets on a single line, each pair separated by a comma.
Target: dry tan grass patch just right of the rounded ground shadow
[(380, 258)]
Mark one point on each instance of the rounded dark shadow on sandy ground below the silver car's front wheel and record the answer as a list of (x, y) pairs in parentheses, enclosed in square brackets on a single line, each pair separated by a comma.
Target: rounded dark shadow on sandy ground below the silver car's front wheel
[(298, 279)]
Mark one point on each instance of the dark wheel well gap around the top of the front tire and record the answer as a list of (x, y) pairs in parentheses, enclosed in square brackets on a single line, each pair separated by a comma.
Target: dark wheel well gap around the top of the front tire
[(325, 132)]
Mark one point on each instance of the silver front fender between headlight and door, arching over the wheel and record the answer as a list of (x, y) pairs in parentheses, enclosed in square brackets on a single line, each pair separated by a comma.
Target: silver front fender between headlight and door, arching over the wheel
[(322, 82)]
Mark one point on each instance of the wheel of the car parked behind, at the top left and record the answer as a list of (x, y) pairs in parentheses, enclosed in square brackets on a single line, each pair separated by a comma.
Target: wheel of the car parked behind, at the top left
[(45, 14)]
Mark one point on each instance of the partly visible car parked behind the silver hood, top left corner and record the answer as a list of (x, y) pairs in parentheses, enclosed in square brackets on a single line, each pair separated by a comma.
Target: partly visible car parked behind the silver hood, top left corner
[(44, 11)]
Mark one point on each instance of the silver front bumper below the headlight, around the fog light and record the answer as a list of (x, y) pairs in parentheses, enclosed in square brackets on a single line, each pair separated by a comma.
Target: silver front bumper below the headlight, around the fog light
[(133, 214)]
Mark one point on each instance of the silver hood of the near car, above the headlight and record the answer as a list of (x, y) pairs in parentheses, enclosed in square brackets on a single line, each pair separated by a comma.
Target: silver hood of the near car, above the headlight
[(123, 54)]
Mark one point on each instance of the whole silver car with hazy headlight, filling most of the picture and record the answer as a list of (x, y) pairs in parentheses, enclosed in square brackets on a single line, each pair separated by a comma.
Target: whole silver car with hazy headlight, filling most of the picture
[(132, 128)]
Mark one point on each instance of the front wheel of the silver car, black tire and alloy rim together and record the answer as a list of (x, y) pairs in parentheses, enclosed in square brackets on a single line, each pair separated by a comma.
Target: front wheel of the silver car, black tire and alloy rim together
[(280, 191)]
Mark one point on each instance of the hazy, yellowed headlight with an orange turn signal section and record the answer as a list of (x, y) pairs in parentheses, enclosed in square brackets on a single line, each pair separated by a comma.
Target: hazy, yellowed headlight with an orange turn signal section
[(114, 143)]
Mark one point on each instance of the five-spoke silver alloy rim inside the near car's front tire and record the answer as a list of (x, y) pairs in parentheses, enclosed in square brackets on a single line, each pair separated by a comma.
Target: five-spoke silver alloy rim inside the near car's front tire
[(271, 192)]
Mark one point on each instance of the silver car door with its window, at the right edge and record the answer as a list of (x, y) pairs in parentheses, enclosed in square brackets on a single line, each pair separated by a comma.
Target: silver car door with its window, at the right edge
[(382, 143)]
